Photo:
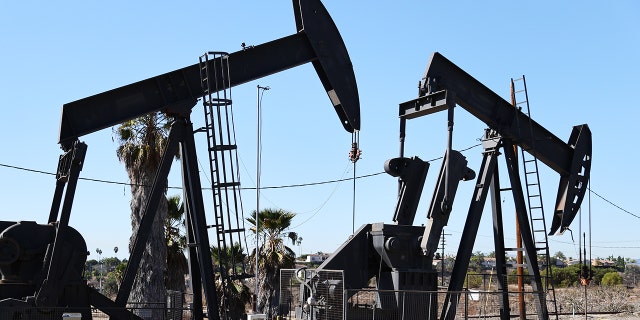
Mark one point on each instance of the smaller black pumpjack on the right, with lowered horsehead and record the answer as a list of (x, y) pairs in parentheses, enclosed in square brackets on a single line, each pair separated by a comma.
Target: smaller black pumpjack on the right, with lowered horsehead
[(400, 255)]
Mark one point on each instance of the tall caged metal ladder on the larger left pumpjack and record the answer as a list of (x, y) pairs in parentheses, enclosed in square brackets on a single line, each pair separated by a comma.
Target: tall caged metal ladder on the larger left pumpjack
[(223, 159)]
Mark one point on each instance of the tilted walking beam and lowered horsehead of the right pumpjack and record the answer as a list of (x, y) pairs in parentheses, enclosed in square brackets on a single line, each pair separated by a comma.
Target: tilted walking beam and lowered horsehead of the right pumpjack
[(444, 84)]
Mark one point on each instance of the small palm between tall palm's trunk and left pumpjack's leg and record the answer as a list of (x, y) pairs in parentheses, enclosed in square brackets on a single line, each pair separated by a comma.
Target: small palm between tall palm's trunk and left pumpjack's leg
[(176, 241)]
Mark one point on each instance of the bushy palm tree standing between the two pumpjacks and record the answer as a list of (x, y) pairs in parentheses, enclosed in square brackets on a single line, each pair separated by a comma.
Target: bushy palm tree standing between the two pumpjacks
[(273, 254)]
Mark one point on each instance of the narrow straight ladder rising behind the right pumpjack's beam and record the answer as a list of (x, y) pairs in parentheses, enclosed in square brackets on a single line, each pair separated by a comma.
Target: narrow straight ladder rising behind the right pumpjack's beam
[(520, 100)]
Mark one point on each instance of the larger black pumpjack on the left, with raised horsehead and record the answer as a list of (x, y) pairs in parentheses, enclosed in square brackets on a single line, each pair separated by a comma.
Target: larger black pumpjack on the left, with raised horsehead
[(42, 264)]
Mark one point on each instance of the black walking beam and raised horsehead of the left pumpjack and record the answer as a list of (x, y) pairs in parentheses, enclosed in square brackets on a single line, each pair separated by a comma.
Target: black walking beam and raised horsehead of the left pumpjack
[(317, 41)]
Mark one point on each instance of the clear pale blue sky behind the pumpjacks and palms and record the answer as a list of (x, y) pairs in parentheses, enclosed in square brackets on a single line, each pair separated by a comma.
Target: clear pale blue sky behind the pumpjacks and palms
[(580, 60)]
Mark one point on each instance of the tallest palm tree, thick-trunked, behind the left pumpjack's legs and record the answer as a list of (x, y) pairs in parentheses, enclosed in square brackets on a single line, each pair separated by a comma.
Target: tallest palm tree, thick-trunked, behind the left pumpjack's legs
[(141, 143)]
